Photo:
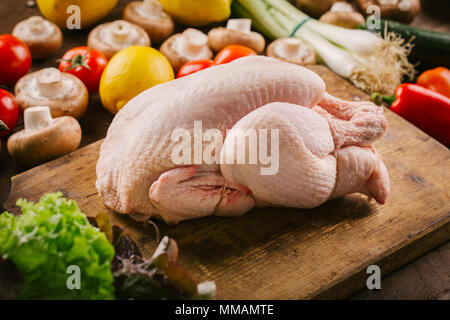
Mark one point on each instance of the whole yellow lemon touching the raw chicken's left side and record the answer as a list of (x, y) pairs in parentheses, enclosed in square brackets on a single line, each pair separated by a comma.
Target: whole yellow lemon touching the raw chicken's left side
[(131, 71)]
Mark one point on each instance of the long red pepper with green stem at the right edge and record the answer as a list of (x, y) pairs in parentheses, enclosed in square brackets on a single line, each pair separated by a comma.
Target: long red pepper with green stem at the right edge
[(426, 109)]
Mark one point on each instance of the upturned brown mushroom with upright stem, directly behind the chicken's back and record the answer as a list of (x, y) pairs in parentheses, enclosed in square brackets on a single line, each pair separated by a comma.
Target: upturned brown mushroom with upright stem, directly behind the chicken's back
[(236, 32)]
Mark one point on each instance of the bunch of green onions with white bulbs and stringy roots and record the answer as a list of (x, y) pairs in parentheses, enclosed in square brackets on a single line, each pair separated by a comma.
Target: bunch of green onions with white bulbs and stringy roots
[(372, 63)]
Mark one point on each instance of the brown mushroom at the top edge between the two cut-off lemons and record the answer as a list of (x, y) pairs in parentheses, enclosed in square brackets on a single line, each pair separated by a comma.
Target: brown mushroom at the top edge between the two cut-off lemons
[(149, 15)]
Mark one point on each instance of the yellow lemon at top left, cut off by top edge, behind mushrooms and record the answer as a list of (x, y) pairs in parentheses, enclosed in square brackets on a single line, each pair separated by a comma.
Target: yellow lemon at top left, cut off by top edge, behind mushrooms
[(90, 11)]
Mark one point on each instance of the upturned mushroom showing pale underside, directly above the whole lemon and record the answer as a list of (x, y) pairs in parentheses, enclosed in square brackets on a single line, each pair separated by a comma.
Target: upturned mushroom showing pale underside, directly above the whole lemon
[(109, 38)]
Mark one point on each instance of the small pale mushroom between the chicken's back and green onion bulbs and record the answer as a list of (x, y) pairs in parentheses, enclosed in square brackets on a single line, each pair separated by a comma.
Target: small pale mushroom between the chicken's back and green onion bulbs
[(292, 50)]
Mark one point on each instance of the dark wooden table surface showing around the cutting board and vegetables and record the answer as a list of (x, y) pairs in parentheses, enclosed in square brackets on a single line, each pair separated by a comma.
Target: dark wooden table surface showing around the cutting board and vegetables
[(424, 278)]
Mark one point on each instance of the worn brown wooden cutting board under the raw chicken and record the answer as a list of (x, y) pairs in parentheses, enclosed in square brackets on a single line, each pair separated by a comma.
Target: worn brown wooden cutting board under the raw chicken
[(276, 253)]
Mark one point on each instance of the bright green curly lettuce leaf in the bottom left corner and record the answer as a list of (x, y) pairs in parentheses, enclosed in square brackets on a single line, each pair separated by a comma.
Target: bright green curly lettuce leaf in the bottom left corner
[(46, 239)]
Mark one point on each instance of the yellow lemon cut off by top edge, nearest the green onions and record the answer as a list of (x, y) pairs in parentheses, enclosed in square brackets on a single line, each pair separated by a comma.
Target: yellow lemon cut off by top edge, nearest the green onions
[(197, 12)]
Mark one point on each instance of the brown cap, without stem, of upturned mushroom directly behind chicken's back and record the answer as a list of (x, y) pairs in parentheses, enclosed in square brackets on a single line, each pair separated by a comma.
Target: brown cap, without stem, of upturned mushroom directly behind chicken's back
[(221, 37)]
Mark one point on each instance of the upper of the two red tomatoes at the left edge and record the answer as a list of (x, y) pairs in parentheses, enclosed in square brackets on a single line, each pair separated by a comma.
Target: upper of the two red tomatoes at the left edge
[(15, 59)]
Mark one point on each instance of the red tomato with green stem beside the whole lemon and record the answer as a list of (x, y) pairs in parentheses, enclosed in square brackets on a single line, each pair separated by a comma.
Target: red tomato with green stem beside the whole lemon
[(85, 64)]
